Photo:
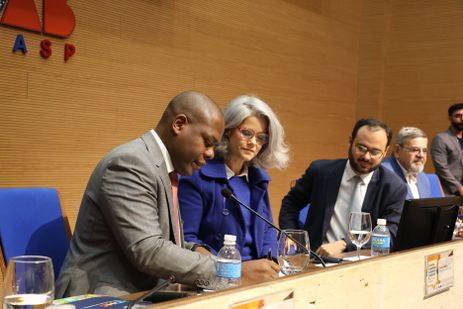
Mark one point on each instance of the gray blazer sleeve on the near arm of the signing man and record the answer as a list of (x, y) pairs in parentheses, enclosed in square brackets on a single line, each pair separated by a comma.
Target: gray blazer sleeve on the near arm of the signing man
[(134, 201)]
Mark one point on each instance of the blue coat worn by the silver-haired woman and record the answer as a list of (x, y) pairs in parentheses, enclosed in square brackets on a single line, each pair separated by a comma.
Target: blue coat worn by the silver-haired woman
[(208, 216)]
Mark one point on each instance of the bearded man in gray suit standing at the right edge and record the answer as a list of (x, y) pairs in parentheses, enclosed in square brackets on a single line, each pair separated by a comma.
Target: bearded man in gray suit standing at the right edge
[(447, 154)]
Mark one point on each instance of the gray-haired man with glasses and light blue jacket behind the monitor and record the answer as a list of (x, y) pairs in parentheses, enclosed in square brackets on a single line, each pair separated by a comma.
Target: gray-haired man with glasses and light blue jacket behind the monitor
[(407, 160)]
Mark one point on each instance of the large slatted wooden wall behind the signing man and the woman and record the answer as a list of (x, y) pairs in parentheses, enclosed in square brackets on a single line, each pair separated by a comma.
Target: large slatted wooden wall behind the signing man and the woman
[(58, 119)]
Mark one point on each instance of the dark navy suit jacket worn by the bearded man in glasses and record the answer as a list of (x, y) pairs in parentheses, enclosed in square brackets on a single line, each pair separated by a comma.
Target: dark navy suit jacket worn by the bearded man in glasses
[(319, 186)]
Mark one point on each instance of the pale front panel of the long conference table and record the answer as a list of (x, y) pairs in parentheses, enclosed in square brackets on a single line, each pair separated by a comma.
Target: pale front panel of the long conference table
[(398, 280)]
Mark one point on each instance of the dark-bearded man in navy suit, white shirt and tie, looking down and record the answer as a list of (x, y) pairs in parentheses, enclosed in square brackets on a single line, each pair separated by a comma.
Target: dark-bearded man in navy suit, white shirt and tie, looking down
[(330, 185)]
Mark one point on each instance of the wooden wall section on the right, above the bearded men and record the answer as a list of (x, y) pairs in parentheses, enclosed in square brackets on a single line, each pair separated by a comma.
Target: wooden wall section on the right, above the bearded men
[(411, 59)]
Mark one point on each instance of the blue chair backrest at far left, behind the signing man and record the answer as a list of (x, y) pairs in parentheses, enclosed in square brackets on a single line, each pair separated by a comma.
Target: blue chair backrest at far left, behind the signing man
[(32, 222)]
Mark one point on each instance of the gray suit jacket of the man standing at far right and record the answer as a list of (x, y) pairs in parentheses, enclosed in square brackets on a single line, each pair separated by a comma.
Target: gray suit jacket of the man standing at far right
[(448, 161)]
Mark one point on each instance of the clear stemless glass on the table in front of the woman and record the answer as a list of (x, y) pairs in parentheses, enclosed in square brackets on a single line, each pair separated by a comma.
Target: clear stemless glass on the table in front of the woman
[(293, 251)]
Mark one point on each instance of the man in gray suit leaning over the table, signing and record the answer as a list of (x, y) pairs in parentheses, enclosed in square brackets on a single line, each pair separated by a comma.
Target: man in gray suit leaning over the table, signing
[(128, 233)]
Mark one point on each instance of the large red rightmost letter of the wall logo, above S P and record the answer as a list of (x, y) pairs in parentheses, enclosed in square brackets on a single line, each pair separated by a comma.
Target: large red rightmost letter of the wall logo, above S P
[(58, 18)]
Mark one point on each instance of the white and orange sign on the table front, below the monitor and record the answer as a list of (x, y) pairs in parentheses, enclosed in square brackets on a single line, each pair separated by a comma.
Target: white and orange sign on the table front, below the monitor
[(438, 273)]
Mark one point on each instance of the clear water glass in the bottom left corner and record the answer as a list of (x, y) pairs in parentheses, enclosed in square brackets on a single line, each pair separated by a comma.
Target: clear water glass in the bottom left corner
[(29, 283)]
